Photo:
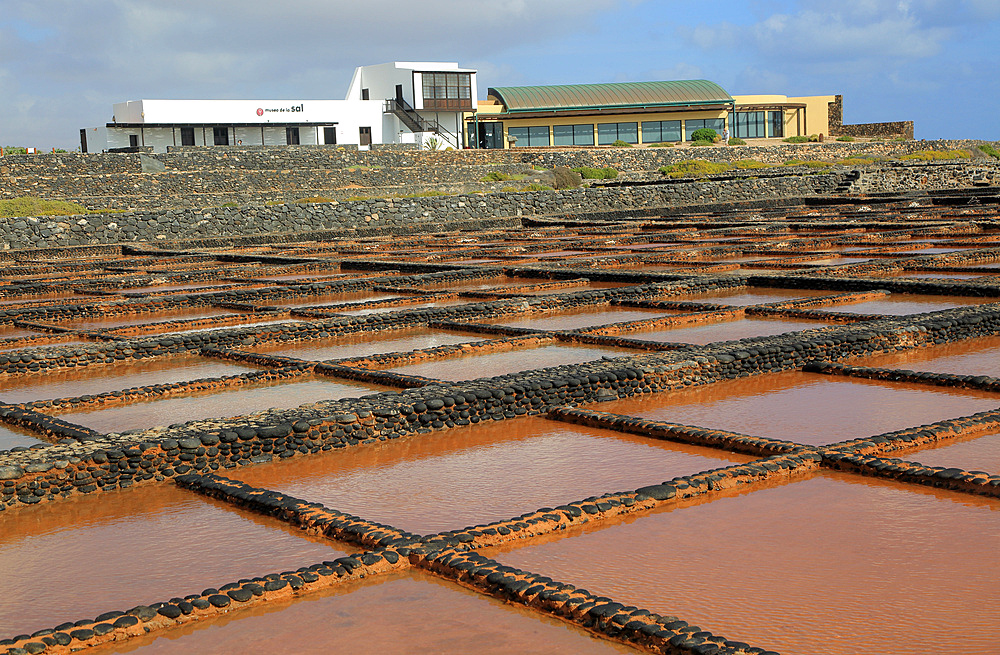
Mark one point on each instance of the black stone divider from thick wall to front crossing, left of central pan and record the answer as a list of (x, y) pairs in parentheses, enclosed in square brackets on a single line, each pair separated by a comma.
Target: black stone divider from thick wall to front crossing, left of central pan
[(311, 517)]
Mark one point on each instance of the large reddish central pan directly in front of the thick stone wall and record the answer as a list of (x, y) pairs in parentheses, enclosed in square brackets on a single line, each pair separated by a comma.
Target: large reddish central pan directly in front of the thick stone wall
[(482, 473)]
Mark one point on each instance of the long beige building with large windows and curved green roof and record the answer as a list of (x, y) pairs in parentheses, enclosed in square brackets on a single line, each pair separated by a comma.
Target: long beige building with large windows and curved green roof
[(636, 113)]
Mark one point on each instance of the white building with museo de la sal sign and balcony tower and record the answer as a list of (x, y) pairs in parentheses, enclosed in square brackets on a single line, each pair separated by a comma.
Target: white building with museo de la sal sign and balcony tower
[(399, 102)]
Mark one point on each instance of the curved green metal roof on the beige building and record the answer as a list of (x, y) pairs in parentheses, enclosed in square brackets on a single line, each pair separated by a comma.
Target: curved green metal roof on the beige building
[(622, 94)]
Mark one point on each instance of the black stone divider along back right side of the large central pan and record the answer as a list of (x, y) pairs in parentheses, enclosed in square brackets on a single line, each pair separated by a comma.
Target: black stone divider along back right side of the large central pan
[(694, 435)]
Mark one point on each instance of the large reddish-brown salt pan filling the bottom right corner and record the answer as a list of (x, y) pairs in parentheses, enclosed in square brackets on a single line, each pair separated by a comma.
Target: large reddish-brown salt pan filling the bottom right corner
[(833, 564)]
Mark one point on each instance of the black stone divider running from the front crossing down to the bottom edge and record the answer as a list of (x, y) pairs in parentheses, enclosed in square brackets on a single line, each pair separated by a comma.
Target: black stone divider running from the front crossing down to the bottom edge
[(600, 615)]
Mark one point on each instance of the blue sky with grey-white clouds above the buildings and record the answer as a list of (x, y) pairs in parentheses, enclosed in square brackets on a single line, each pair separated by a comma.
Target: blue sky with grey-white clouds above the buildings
[(63, 63)]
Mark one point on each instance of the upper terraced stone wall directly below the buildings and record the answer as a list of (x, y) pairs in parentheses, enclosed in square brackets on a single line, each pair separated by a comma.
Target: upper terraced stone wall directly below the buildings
[(210, 177)]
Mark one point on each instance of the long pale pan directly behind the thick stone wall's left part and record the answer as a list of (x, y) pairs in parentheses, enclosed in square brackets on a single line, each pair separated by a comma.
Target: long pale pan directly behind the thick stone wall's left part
[(232, 402)]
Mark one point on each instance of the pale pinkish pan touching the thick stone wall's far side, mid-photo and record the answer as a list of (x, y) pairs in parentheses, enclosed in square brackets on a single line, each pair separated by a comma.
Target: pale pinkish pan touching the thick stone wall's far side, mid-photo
[(471, 367)]
